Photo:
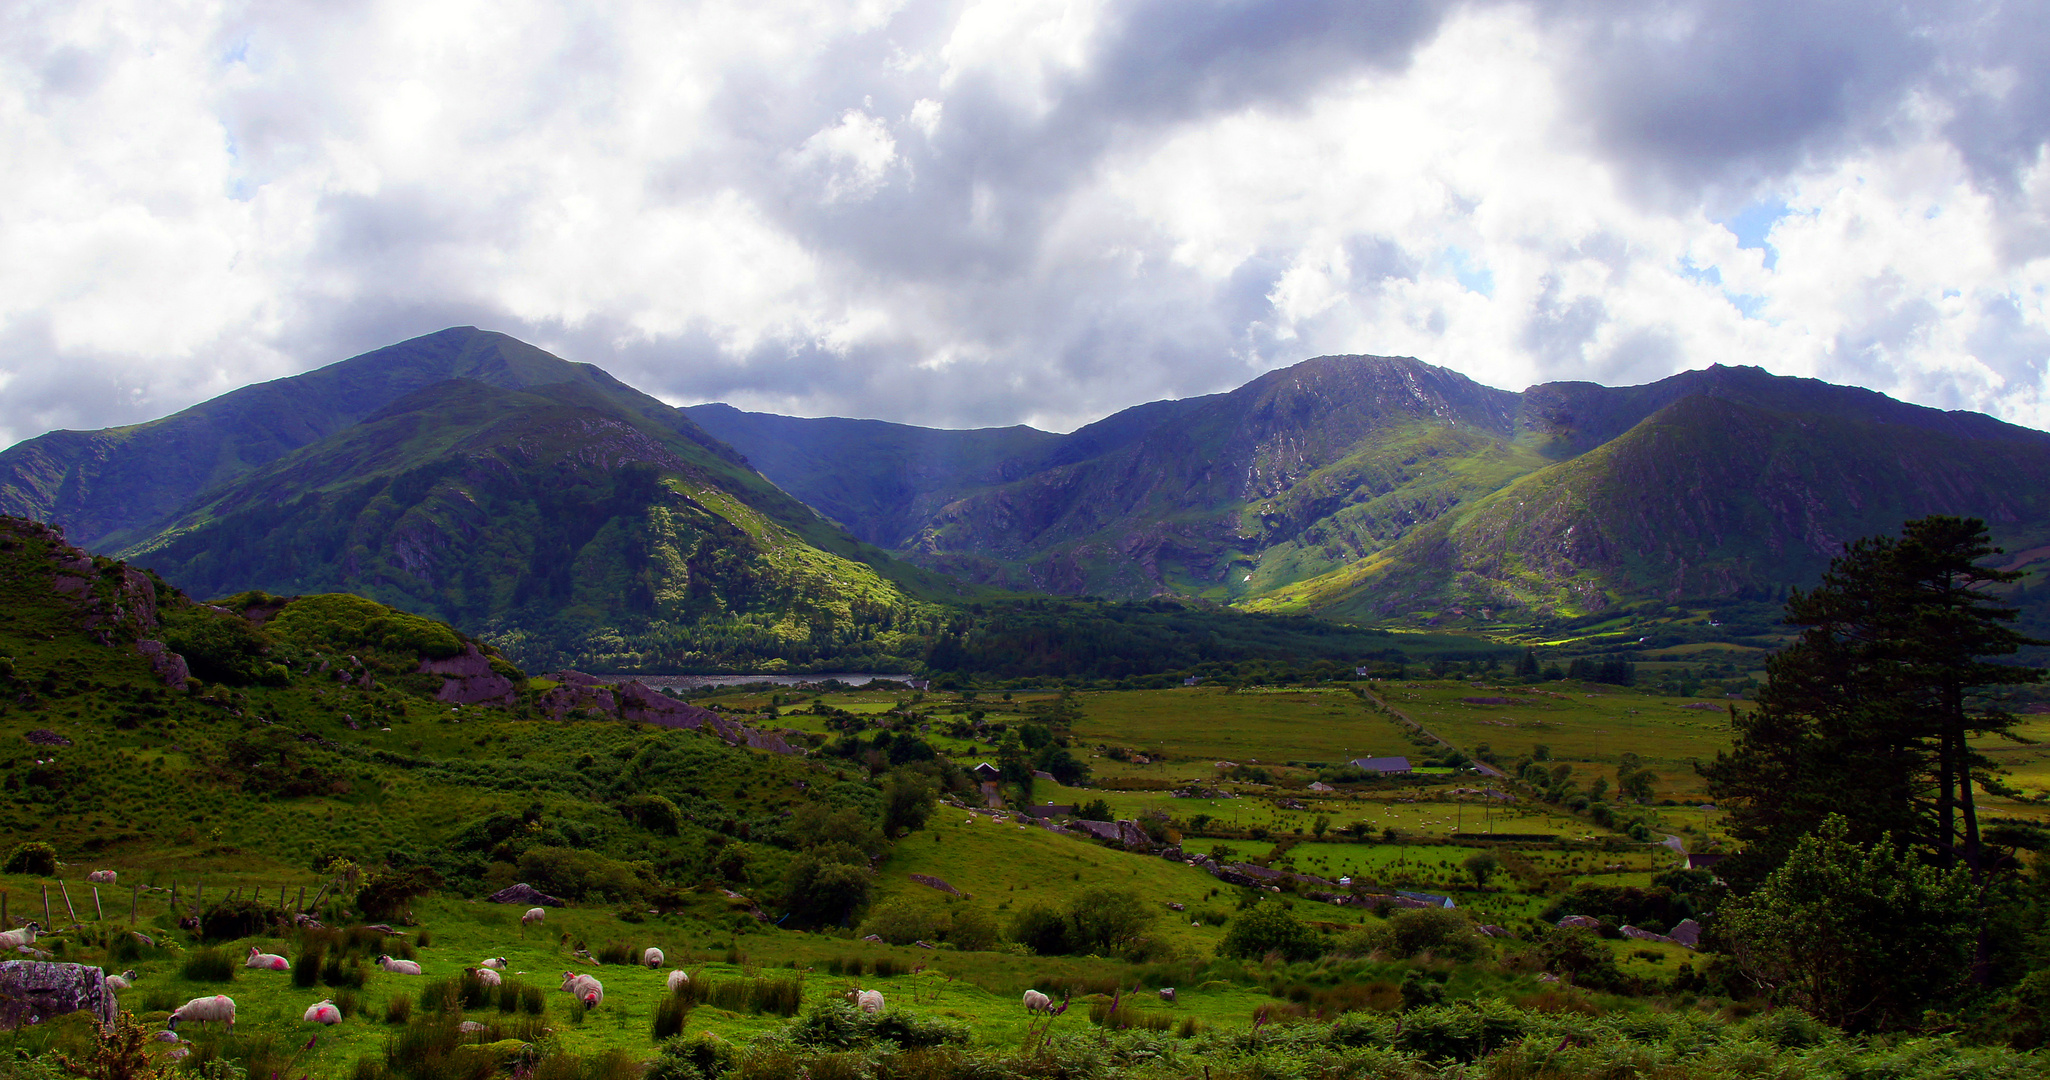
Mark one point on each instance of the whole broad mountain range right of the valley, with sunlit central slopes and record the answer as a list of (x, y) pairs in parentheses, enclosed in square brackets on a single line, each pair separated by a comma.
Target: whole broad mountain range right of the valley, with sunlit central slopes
[(1383, 487)]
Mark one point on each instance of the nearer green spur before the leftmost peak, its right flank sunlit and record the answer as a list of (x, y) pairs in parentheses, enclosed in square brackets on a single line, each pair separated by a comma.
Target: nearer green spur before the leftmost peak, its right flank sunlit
[(567, 526)]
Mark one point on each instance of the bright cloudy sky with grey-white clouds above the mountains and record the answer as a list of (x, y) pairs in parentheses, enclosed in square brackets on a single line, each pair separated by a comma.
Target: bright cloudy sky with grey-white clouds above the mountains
[(995, 212)]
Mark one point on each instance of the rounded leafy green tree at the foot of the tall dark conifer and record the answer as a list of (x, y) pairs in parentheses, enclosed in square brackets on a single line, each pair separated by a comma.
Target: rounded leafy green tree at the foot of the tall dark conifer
[(1862, 938)]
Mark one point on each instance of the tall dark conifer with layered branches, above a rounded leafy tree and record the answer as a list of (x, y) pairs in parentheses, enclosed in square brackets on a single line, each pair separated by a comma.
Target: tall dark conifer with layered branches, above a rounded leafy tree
[(1875, 706)]
